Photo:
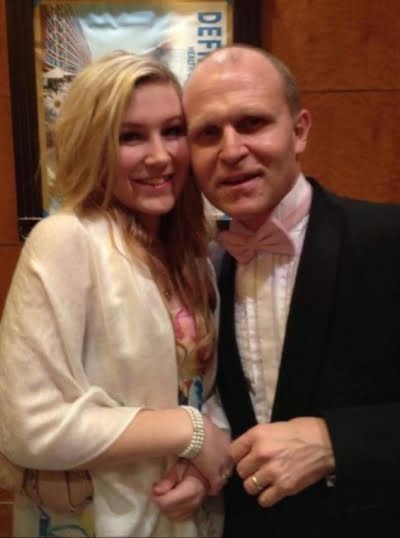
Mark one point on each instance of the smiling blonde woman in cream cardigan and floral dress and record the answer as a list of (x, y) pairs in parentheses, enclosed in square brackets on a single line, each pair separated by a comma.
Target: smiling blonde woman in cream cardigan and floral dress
[(107, 337)]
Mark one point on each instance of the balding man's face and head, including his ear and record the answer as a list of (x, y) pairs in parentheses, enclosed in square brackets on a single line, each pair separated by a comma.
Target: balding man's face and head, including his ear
[(243, 138)]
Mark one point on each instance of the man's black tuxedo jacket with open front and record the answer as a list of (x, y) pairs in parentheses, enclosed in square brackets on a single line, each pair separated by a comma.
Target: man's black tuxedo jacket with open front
[(341, 361)]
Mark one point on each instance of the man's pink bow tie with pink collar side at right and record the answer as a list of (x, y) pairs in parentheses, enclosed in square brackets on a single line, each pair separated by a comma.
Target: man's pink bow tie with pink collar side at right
[(271, 237)]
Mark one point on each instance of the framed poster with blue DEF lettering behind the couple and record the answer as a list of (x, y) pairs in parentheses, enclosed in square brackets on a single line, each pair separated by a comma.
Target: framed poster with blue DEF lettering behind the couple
[(70, 34)]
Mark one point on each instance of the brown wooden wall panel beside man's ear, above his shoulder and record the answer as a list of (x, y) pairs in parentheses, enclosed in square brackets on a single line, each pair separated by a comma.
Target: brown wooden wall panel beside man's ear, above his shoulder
[(353, 145)]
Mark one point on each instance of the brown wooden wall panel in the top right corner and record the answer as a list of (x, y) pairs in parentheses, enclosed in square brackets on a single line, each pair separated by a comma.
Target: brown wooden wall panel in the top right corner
[(336, 44)]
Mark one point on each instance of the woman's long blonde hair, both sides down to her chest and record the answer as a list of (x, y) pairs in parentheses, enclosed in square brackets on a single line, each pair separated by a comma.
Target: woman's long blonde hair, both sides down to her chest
[(86, 138)]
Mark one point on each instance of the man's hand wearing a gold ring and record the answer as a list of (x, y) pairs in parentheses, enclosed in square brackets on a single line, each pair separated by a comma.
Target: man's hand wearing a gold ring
[(282, 458)]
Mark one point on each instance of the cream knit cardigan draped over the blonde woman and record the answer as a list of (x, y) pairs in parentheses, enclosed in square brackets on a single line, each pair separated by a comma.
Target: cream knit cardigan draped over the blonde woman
[(85, 343)]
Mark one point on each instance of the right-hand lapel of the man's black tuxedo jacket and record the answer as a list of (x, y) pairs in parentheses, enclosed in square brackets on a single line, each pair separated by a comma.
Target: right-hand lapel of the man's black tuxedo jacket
[(311, 304)]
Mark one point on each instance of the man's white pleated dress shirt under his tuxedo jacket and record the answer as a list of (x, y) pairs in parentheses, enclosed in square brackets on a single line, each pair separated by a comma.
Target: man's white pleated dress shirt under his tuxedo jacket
[(263, 290)]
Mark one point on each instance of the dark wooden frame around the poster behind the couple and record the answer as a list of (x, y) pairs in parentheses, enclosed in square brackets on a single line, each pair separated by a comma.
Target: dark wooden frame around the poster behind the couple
[(246, 28)]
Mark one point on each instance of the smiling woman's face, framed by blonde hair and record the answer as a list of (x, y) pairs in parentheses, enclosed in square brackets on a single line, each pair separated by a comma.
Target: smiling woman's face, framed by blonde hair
[(153, 158)]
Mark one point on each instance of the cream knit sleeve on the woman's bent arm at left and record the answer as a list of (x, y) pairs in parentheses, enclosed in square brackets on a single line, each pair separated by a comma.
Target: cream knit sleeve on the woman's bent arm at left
[(51, 417)]
